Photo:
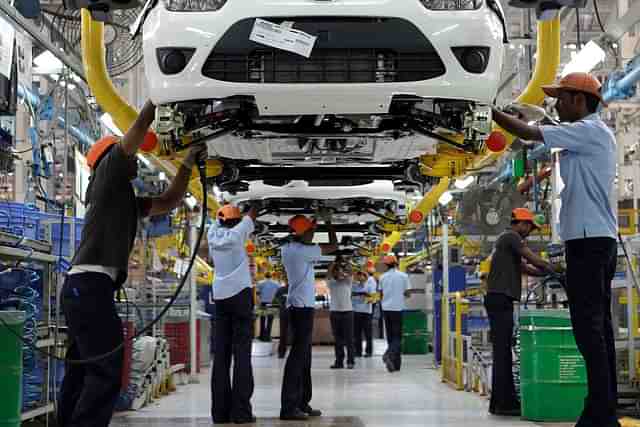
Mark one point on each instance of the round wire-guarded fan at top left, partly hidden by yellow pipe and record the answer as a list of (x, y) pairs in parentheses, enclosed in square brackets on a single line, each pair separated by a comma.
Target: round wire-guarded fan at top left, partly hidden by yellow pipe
[(122, 51)]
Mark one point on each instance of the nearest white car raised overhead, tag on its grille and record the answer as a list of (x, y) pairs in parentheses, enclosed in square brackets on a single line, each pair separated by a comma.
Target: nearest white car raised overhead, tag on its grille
[(323, 81)]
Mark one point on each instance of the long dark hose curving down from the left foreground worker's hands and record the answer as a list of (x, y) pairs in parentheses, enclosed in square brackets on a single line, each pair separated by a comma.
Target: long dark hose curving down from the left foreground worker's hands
[(165, 309)]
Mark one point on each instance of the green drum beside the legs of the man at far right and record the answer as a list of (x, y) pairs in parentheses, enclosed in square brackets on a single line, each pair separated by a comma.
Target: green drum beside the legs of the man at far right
[(553, 379)]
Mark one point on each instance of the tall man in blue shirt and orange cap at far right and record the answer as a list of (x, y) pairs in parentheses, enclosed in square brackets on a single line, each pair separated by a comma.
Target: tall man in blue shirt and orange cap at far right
[(588, 227)]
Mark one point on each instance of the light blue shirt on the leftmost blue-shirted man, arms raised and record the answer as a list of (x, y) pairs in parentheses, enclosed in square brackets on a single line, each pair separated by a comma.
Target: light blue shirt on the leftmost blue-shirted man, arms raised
[(226, 247)]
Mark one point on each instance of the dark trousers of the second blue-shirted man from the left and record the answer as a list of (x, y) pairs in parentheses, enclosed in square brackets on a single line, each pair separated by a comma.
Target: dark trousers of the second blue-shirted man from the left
[(296, 384)]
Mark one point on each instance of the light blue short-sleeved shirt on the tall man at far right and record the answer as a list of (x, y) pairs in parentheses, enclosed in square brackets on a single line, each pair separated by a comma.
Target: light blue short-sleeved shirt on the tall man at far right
[(588, 170)]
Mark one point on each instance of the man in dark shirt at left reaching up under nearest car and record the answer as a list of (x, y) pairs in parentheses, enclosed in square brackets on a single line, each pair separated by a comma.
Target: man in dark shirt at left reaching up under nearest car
[(99, 268)]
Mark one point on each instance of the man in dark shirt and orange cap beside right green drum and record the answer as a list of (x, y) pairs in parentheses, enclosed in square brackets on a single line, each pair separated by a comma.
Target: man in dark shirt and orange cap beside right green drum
[(504, 287)]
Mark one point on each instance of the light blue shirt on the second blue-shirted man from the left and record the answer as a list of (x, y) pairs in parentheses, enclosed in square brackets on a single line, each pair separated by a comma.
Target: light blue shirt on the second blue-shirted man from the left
[(299, 260)]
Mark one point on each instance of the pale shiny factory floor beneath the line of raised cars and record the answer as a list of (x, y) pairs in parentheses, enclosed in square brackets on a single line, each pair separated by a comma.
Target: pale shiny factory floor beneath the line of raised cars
[(365, 396)]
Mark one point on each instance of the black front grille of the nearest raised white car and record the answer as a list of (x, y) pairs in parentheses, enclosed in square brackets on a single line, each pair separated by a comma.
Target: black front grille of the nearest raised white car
[(347, 51)]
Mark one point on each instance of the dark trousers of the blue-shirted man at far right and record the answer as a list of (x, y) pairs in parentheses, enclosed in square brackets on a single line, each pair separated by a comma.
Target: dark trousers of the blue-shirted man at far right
[(591, 266)]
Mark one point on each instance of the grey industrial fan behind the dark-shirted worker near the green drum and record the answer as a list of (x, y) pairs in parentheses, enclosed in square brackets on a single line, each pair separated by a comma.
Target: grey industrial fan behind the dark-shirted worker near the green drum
[(487, 210)]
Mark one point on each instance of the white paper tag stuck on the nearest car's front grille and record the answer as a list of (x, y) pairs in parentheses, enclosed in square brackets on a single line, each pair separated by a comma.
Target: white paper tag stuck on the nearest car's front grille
[(282, 37)]
